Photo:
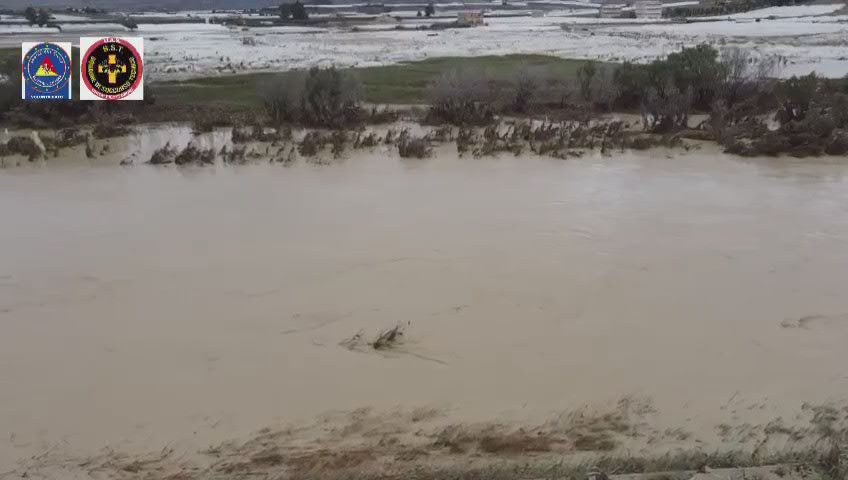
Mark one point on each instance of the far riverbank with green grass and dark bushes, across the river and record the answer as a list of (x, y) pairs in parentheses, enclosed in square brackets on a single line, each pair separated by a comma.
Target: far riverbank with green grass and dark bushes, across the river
[(741, 106)]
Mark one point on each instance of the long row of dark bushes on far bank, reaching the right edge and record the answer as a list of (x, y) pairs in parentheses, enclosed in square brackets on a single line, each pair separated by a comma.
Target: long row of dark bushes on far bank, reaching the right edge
[(750, 112)]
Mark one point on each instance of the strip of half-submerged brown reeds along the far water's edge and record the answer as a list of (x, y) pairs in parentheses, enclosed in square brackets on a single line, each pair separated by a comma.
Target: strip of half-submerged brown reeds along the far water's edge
[(187, 145)]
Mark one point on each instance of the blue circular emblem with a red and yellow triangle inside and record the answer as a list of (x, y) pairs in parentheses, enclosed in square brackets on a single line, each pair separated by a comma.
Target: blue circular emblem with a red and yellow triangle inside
[(47, 70)]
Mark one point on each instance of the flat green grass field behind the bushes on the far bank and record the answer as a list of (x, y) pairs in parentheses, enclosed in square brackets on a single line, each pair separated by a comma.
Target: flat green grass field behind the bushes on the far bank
[(404, 83)]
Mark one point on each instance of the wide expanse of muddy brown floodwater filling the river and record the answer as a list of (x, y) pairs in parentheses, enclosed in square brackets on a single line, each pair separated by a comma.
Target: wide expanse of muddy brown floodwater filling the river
[(142, 307)]
